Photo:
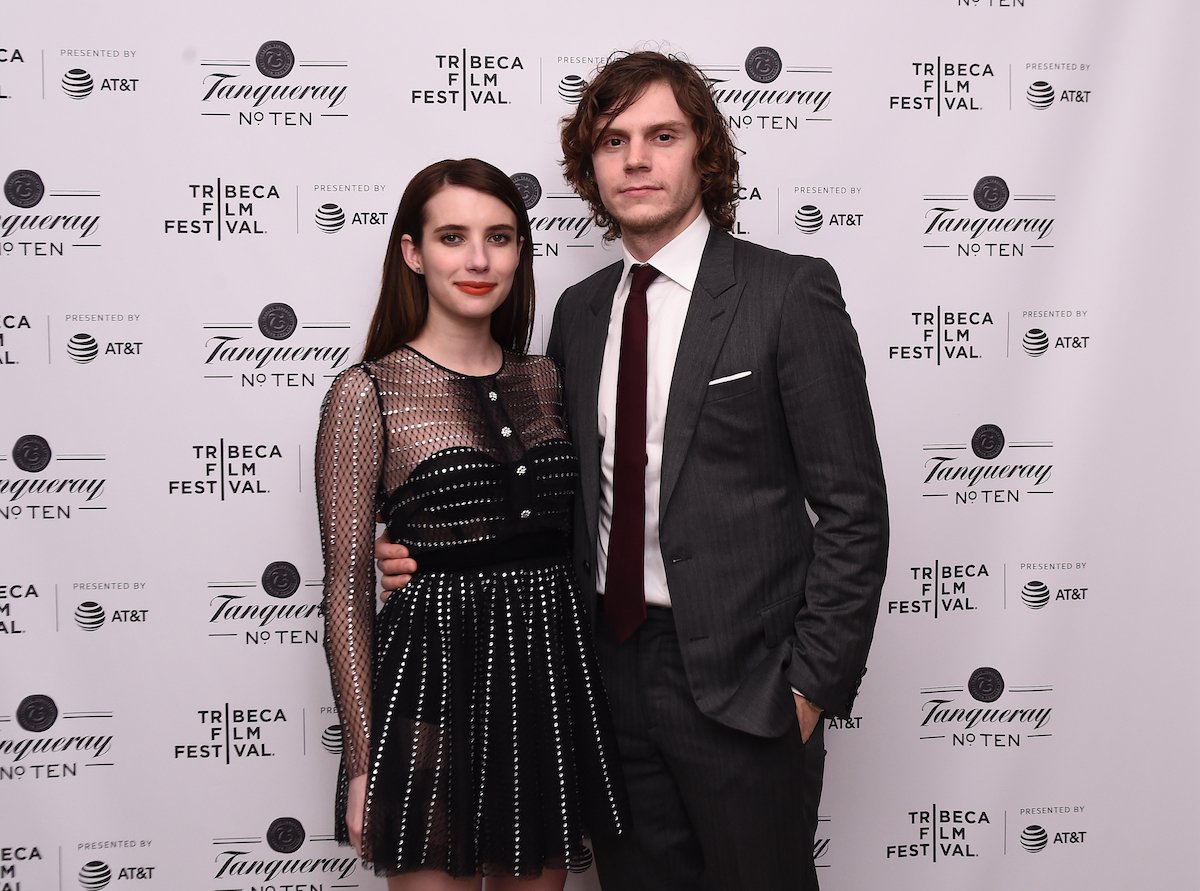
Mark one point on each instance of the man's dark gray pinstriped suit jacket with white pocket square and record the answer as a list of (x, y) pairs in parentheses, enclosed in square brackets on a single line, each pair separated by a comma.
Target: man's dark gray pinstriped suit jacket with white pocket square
[(764, 601)]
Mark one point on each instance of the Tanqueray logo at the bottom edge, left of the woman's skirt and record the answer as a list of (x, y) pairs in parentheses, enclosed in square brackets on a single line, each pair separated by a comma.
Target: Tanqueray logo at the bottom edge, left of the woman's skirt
[(317, 862)]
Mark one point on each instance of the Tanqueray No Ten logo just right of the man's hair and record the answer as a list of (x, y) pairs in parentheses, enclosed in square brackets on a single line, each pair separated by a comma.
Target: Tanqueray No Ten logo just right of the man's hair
[(764, 94)]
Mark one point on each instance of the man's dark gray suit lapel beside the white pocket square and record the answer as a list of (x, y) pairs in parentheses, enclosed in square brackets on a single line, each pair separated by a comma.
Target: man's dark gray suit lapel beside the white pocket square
[(713, 306)]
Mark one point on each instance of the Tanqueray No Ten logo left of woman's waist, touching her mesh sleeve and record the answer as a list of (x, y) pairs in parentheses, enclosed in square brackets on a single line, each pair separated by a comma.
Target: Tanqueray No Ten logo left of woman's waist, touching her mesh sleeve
[(262, 612)]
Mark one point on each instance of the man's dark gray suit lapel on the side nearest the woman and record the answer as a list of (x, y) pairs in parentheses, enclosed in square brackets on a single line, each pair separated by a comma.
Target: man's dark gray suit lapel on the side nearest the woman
[(587, 363)]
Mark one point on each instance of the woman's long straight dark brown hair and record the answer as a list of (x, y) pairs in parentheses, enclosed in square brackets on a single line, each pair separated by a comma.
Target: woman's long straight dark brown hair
[(404, 300)]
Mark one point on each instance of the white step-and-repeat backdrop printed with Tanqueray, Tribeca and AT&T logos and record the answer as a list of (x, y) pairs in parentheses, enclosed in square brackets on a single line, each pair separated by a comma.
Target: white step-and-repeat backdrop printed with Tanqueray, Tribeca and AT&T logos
[(196, 204)]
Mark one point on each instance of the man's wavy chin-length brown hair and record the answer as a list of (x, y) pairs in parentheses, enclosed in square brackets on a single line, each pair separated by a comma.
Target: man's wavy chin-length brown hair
[(621, 83)]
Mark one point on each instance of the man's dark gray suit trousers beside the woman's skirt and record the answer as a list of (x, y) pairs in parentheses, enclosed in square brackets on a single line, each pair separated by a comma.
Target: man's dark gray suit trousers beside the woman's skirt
[(715, 809)]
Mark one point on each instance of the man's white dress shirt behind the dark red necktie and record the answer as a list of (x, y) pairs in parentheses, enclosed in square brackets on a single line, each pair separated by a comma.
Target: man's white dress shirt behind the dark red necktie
[(667, 301)]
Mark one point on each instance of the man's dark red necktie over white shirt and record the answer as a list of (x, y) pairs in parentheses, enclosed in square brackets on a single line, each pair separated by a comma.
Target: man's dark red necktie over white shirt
[(625, 597)]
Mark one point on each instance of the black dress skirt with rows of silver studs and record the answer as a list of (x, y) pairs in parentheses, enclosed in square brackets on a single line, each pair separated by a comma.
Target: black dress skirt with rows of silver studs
[(491, 746)]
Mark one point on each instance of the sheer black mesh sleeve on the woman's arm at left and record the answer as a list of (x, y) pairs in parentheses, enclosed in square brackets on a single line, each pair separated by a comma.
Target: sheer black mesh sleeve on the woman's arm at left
[(350, 450)]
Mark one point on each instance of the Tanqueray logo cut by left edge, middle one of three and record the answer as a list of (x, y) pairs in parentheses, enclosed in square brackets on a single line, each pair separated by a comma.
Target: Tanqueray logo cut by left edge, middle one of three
[(62, 498)]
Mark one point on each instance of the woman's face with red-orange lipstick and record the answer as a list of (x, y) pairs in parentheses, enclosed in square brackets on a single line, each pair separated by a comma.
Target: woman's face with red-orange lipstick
[(469, 255)]
